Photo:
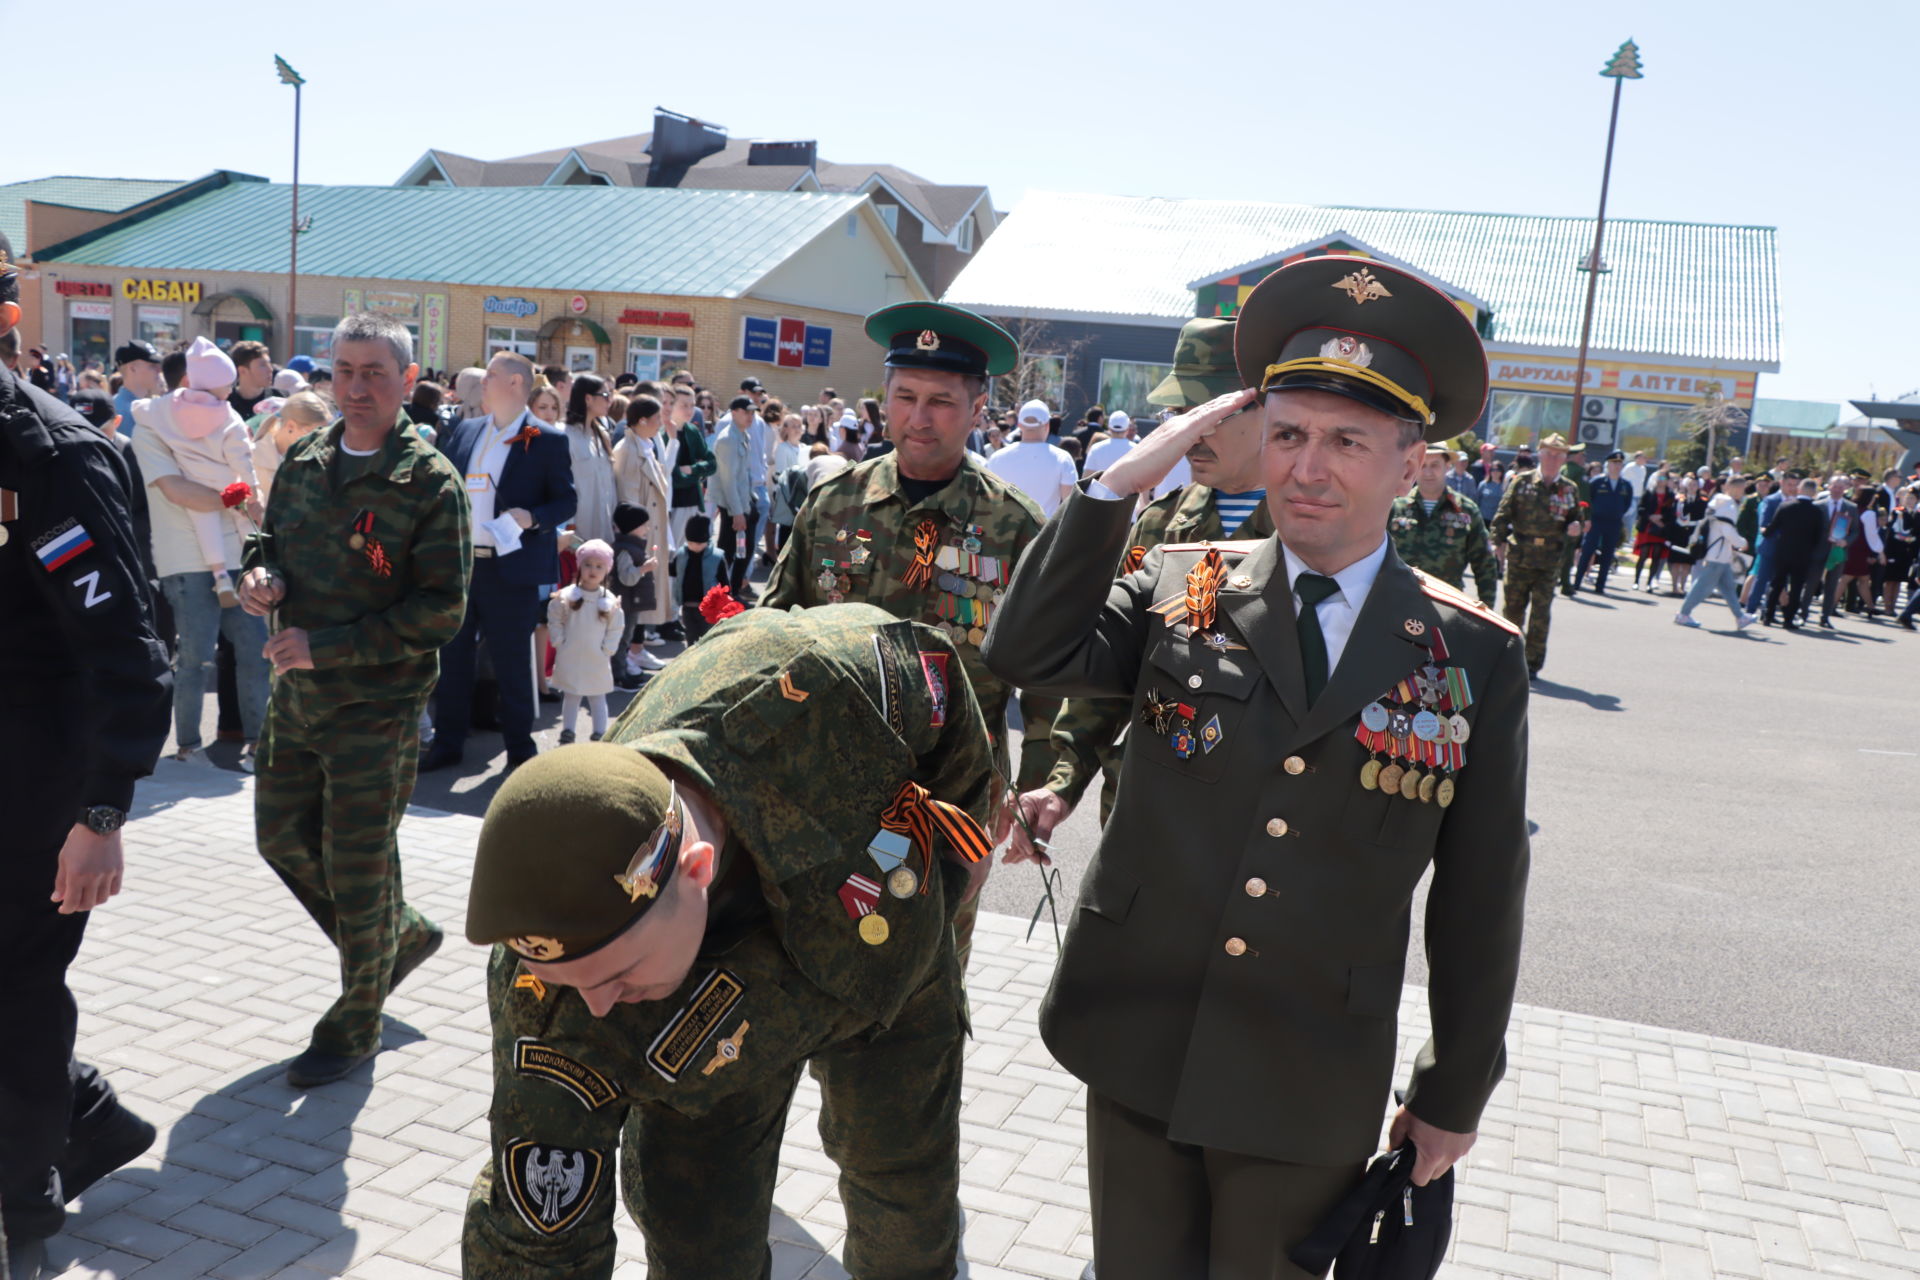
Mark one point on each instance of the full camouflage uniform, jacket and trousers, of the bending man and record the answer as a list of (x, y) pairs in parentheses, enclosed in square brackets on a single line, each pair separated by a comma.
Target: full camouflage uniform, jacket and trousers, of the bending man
[(694, 1089)]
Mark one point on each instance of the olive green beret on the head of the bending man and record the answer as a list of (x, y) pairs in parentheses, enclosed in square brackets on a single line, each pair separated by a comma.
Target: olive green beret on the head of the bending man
[(575, 847)]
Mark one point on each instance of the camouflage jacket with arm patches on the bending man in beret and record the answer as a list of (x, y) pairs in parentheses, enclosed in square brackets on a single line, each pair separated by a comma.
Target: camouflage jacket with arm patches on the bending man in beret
[(802, 732)]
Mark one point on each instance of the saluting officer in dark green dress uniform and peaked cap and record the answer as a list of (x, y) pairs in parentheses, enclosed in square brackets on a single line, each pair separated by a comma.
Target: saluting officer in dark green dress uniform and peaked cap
[(1318, 724)]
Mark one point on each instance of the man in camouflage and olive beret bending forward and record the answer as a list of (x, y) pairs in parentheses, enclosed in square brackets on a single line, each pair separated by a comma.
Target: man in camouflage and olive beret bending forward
[(686, 918)]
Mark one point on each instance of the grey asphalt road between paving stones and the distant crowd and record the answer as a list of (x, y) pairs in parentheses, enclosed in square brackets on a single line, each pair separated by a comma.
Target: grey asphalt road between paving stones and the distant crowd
[(1721, 828)]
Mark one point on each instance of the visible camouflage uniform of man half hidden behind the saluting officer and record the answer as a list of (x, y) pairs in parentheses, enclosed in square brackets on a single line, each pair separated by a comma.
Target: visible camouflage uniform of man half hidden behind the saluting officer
[(1088, 732)]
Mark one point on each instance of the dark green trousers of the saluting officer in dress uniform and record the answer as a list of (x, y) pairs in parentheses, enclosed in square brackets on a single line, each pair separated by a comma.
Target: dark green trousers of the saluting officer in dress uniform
[(1164, 1210)]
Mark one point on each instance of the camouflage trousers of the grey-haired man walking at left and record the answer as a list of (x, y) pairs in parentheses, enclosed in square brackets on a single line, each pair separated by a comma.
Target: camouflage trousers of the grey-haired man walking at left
[(331, 788)]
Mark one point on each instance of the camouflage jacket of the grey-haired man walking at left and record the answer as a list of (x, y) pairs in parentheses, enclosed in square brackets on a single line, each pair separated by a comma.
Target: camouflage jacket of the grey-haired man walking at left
[(375, 556)]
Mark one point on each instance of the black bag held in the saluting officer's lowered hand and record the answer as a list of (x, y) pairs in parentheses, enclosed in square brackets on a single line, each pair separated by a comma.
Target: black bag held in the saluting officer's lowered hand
[(1387, 1229)]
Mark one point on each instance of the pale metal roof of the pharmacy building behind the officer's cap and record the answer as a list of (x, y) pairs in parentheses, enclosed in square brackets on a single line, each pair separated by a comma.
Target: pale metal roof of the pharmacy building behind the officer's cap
[(1675, 289)]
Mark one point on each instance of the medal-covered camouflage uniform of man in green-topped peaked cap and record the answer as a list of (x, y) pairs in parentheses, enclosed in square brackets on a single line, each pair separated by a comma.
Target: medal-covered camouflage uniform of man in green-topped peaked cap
[(869, 500)]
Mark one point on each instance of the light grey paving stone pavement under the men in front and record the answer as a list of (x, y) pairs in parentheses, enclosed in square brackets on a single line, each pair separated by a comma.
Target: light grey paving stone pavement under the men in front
[(1610, 1150)]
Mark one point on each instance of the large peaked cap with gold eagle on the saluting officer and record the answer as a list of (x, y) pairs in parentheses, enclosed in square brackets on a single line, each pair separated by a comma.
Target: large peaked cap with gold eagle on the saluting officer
[(1366, 331)]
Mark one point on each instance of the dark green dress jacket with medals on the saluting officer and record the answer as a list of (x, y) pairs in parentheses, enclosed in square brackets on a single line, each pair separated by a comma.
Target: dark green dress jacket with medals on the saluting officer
[(1237, 957)]
